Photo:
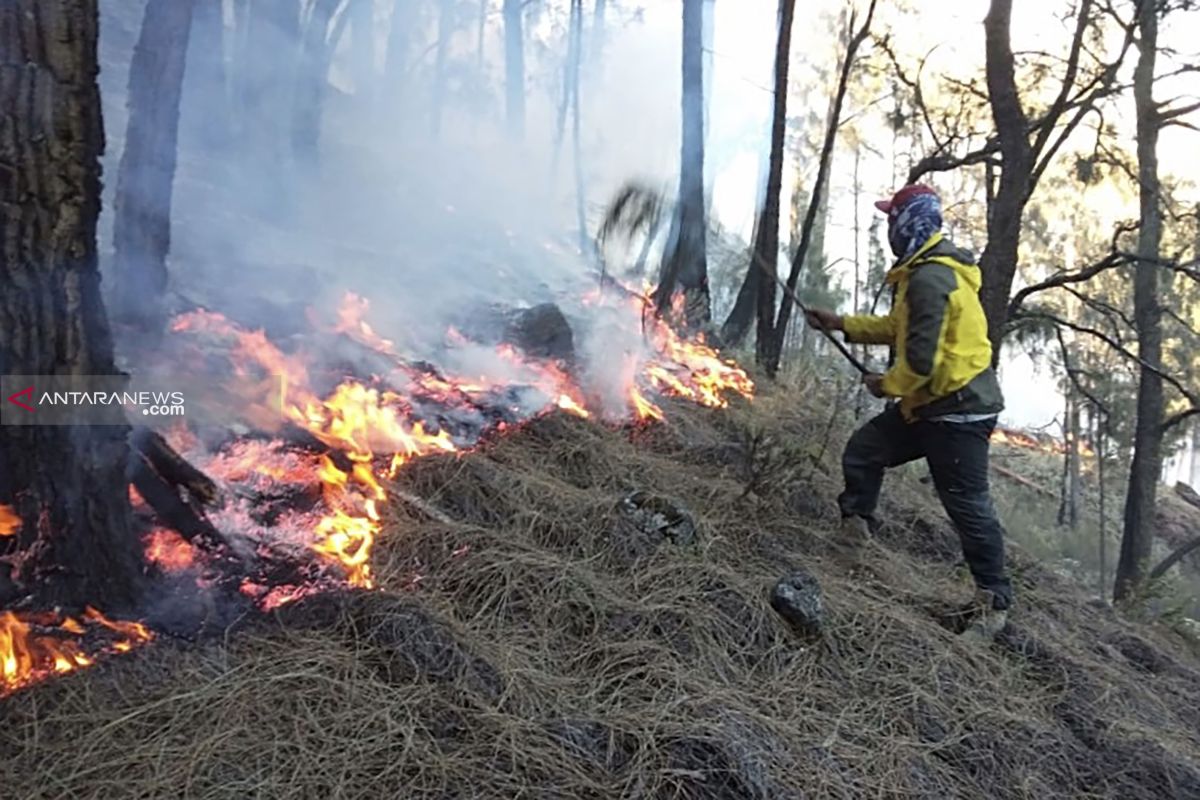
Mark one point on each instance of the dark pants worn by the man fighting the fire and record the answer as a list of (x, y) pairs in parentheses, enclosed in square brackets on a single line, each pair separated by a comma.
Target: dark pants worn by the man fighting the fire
[(957, 454)]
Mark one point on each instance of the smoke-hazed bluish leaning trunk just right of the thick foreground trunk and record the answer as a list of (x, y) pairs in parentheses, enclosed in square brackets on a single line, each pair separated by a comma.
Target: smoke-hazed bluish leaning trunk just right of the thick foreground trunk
[(142, 228)]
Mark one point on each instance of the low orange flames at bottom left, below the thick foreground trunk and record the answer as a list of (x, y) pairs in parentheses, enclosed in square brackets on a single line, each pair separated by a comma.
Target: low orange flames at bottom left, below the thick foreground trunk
[(33, 647)]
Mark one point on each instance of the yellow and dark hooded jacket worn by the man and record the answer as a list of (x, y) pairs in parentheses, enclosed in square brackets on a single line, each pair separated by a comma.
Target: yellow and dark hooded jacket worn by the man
[(940, 334)]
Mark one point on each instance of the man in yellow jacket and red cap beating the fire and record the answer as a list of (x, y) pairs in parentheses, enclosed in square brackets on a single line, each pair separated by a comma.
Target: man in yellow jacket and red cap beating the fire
[(945, 395)]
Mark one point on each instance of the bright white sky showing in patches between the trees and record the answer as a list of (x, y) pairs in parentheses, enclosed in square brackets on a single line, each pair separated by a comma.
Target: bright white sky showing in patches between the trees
[(953, 37)]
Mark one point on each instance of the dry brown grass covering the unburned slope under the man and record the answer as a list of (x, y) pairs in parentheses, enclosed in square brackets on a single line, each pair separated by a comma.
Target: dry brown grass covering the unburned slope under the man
[(550, 649)]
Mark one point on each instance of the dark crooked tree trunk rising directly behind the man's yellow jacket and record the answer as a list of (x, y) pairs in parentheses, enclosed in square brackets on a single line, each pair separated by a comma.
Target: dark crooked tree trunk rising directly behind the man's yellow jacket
[(999, 260)]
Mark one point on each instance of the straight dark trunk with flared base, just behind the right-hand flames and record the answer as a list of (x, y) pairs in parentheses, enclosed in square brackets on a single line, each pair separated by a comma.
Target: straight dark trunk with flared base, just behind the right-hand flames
[(686, 264)]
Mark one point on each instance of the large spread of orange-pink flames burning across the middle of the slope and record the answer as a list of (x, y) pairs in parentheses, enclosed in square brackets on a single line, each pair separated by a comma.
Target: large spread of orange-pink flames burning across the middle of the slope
[(373, 425)]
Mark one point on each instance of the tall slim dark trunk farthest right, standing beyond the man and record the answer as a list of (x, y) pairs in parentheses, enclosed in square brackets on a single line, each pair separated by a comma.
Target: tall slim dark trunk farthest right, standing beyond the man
[(1138, 536)]
